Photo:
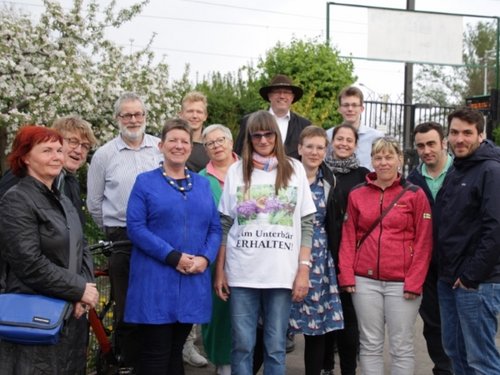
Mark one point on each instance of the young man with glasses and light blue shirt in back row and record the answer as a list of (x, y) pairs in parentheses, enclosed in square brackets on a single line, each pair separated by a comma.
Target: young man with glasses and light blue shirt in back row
[(351, 107)]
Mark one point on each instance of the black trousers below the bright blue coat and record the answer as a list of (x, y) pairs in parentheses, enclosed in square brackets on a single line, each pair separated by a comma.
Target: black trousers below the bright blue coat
[(162, 348)]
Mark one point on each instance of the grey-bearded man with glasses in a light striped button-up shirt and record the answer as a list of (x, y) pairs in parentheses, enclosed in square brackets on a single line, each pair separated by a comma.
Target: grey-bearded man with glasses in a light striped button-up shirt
[(111, 175)]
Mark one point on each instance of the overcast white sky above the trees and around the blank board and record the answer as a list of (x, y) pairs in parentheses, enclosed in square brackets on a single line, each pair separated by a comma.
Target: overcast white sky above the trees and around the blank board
[(223, 35)]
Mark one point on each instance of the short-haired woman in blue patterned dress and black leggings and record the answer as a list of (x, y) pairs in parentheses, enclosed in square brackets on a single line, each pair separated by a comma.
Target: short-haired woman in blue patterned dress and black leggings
[(320, 313)]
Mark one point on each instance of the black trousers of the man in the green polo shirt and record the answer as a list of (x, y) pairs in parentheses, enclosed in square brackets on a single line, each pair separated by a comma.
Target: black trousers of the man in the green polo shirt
[(429, 311)]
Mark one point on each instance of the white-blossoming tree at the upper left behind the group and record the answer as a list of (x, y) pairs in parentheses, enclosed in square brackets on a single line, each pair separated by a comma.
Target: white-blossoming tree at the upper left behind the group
[(63, 64)]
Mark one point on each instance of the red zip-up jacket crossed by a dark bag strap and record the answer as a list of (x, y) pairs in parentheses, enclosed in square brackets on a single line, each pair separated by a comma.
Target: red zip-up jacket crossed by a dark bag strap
[(399, 248)]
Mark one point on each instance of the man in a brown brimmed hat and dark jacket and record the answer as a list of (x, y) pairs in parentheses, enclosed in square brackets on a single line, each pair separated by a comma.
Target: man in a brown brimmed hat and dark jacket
[(281, 93)]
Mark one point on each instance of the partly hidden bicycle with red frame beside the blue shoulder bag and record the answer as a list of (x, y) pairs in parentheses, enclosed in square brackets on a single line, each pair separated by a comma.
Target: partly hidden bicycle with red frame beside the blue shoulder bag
[(107, 362)]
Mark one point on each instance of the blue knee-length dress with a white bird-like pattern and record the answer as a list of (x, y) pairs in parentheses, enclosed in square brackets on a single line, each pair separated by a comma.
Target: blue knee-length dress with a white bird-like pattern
[(321, 311)]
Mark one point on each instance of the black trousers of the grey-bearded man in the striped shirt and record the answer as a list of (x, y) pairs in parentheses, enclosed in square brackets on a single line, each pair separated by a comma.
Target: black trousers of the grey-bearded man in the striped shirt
[(127, 338)]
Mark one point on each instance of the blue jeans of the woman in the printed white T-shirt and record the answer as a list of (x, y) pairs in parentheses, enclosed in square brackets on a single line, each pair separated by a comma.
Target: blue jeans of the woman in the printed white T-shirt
[(246, 306)]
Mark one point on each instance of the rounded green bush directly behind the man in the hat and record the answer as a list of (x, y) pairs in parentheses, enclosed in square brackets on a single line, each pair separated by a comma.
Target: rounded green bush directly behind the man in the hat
[(318, 69)]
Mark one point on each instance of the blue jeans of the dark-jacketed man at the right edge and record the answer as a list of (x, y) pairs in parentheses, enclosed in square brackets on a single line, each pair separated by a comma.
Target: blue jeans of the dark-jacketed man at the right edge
[(469, 325)]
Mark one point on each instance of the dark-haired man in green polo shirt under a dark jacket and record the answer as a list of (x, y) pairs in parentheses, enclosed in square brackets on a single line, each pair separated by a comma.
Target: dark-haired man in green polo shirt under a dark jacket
[(430, 175)]
